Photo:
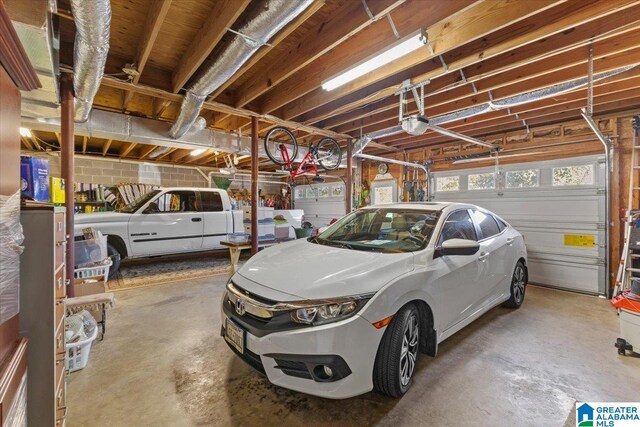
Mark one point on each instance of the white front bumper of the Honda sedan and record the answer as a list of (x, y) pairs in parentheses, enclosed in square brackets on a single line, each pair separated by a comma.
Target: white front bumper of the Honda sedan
[(288, 358)]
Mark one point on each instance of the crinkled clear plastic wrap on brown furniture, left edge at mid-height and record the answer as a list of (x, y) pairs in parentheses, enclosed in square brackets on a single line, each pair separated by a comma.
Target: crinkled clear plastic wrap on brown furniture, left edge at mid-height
[(11, 239)]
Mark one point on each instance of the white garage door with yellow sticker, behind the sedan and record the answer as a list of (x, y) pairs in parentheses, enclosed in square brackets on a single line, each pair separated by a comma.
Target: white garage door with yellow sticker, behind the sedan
[(557, 205)]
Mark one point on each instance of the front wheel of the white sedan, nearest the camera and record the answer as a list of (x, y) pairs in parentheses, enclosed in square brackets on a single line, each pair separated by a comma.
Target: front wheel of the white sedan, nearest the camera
[(389, 377)]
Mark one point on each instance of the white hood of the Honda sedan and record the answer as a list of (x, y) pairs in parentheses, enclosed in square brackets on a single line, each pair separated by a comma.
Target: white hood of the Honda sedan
[(307, 270)]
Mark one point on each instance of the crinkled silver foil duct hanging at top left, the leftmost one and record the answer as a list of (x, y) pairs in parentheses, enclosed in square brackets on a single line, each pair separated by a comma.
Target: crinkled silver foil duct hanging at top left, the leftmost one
[(93, 22)]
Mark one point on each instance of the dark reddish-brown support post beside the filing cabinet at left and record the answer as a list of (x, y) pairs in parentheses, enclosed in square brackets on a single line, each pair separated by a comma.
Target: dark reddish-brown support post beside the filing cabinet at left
[(66, 155)]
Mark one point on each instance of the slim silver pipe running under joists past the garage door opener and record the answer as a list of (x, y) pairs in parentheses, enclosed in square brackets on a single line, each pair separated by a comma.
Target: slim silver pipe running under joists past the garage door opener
[(512, 101)]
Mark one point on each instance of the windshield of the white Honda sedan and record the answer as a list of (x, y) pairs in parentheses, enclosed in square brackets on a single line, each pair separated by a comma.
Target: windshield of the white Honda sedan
[(382, 230)]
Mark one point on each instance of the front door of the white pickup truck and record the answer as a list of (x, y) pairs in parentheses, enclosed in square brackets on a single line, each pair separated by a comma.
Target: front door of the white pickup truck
[(171, 223)]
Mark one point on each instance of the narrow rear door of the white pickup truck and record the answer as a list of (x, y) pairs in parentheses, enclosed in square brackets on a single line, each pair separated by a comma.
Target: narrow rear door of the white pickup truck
[(217, 221)]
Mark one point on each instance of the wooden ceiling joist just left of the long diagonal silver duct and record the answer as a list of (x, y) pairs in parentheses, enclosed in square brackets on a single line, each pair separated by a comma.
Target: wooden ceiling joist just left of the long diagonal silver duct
[(223, 14)]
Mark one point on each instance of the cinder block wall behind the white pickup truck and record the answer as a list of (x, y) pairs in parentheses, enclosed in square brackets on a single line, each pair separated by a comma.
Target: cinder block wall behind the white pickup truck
[(97, 171)]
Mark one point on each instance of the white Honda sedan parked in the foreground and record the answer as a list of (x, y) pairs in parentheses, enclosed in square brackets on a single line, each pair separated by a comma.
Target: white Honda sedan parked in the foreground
[(349, 310)]
